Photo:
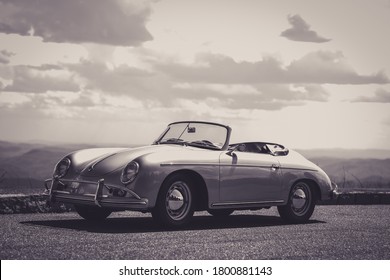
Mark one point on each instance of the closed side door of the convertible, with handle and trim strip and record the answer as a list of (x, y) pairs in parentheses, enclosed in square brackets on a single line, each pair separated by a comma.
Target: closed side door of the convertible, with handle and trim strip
[(249, 177)]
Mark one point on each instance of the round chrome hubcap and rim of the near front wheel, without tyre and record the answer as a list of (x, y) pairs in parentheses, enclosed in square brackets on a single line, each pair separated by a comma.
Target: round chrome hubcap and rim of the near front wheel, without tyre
[(177, 200)]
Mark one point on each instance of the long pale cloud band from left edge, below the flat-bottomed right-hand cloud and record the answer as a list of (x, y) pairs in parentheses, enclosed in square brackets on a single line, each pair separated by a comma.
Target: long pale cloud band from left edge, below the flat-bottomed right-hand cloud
[(123, 87)]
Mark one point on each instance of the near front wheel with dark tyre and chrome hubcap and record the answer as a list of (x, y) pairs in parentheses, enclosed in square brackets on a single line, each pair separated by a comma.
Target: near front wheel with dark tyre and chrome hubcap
[(174, 205)]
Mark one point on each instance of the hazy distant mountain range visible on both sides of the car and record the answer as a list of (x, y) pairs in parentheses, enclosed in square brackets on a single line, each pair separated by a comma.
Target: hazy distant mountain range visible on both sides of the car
[(24, 166)]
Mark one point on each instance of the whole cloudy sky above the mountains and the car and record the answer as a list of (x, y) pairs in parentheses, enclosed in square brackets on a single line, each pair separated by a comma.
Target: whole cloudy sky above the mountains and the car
[(306, 74)]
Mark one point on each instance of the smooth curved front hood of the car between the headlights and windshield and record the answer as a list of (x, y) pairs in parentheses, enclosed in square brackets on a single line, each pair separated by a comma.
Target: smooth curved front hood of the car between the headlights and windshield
[(97, 162)]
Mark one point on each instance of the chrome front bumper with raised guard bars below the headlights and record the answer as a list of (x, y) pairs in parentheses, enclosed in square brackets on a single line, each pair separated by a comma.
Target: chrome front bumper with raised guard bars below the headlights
[(55, 194)]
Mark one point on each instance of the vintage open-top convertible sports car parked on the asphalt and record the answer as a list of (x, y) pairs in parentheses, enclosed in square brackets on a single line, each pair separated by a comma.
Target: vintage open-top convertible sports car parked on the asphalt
[(190, 167)]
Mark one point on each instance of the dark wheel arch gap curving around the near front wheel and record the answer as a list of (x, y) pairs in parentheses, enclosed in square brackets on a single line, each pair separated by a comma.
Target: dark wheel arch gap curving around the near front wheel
[(198, 186)]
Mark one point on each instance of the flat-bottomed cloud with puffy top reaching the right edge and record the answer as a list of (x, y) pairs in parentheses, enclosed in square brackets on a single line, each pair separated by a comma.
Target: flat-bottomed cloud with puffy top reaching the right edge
[(314, 68)]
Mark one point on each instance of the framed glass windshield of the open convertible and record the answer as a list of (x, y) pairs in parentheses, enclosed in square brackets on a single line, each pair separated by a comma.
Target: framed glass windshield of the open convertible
[(198, 134)]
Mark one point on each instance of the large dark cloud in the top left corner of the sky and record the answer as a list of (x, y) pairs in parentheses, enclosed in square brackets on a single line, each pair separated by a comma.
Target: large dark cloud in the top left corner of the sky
[(90, 21)]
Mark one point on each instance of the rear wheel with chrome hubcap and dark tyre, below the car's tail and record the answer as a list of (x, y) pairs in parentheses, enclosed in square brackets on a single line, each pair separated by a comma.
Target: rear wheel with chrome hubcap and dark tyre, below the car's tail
[(300, 205)]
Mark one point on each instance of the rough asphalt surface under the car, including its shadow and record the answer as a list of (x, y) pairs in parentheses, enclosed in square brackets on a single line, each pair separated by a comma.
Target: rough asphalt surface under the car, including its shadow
[(335, 232)]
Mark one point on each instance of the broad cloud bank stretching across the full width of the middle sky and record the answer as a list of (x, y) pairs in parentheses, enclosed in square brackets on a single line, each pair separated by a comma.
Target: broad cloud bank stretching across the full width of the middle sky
[(216, 80)]
